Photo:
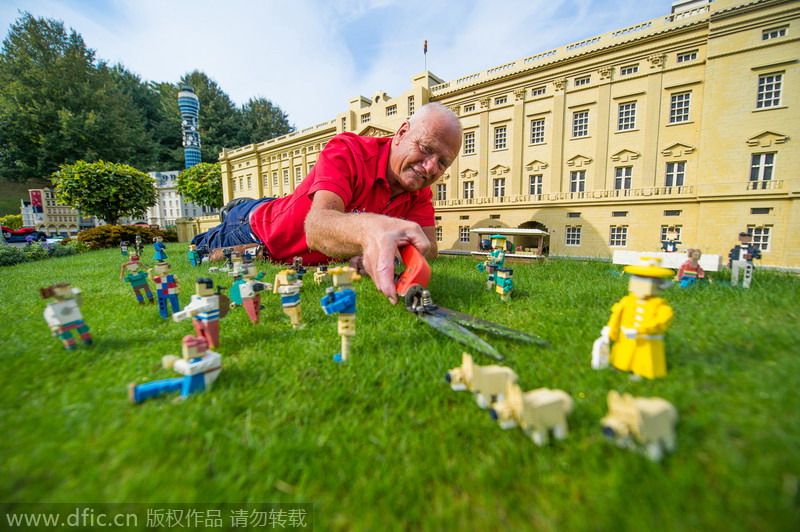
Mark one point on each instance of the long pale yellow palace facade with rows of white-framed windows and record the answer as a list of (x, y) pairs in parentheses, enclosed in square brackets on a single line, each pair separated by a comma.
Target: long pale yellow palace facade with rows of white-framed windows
[(689, 121)]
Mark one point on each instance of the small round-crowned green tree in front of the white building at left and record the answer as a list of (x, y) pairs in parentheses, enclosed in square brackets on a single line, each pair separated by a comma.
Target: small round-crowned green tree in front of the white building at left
[(106, 190)]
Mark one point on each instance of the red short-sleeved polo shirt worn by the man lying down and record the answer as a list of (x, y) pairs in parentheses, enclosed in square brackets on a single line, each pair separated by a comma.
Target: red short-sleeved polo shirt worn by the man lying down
[(353, 168)]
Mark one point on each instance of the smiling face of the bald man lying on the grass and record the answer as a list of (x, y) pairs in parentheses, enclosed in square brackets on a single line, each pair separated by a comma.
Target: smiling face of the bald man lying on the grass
[(421, 151)]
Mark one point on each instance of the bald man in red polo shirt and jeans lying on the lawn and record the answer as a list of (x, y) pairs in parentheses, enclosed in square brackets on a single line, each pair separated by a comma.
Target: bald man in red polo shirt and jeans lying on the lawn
[(364, 197)]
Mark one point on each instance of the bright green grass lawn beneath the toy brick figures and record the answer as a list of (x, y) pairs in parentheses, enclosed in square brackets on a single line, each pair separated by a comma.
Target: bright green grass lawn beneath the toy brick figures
[(381, 442)]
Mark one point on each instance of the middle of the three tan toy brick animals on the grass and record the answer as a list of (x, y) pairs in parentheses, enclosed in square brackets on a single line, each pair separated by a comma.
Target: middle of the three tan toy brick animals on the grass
[(537, 412)]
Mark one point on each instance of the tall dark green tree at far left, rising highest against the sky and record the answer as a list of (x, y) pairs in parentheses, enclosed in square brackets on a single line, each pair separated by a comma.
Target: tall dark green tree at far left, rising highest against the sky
[(59, 105)]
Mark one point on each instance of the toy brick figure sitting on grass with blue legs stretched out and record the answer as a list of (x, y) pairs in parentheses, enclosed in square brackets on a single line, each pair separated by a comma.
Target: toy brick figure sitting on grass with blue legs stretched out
[(200, 368)]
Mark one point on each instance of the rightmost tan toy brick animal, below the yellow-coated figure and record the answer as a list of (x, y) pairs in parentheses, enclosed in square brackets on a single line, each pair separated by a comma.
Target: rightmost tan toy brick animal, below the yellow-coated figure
[(646, 421)]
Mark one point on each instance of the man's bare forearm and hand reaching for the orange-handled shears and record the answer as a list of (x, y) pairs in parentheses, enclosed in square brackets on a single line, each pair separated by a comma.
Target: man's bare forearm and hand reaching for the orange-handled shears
[(373, 236)]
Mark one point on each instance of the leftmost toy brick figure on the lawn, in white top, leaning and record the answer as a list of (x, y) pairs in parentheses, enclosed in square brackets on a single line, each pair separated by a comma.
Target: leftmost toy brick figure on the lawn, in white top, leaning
[(64, 316)]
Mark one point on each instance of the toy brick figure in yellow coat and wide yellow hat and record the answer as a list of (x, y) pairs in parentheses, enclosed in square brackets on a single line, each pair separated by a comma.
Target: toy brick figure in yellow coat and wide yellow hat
[(637, 324)]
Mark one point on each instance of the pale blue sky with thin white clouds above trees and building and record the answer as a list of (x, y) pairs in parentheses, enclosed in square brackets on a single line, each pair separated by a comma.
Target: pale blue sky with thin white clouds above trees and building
[(311, 56)]
